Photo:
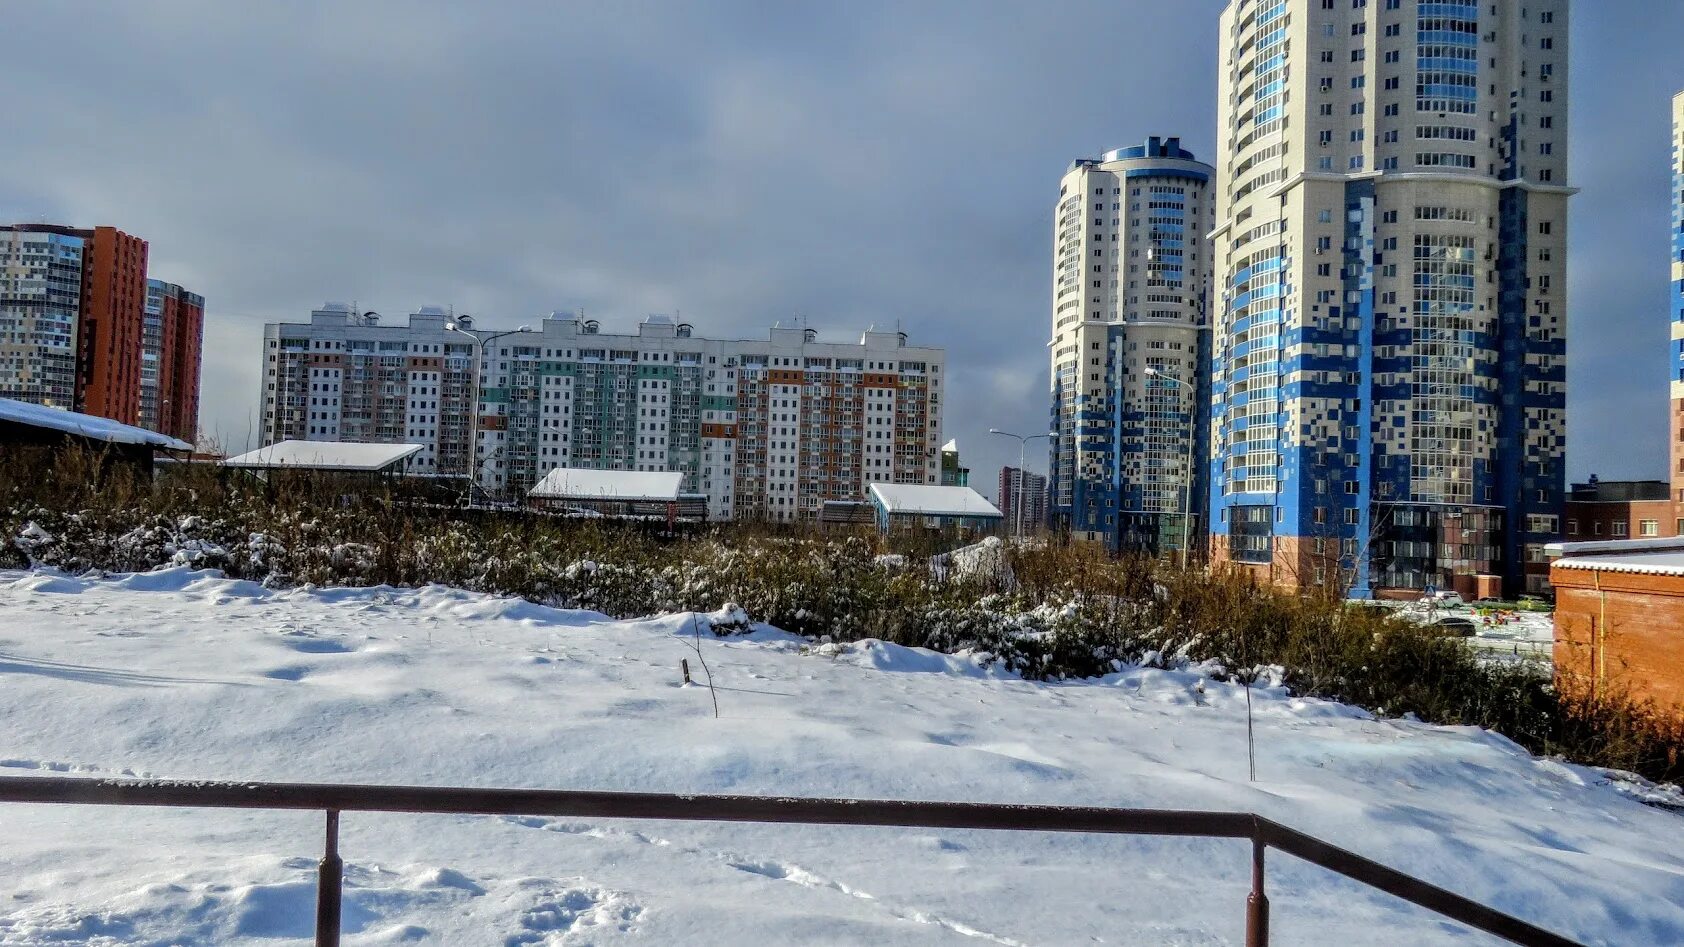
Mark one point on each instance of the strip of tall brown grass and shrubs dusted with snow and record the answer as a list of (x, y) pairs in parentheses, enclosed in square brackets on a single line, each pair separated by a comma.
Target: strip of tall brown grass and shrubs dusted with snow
[(1045, 613)]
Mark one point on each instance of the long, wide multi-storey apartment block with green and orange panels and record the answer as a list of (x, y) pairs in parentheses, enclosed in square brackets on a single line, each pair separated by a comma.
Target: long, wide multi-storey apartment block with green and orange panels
[(764, 429)]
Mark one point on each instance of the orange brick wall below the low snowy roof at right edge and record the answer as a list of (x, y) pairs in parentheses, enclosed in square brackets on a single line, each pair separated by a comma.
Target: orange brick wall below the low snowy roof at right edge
[(1621, 633)]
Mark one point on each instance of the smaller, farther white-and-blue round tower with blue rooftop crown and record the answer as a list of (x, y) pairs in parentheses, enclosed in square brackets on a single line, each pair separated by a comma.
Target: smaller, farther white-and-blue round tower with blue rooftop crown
[(1131, 341)]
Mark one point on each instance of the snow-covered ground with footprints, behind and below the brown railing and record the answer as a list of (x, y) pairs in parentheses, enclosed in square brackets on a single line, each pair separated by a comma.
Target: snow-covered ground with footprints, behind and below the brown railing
[(191, 677)]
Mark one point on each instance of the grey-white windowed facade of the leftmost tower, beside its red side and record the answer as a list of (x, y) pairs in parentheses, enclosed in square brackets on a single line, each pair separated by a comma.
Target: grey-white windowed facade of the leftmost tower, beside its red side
[(41, 291)]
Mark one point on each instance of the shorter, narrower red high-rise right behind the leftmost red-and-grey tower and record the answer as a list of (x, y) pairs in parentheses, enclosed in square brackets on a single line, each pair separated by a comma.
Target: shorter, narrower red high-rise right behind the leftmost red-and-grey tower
[(173, 338)]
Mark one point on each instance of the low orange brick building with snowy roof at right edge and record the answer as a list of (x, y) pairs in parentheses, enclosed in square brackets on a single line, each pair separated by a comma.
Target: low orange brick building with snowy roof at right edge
[(1621, 619)]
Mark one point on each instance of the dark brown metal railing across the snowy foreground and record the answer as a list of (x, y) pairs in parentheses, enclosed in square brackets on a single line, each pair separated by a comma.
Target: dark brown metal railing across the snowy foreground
[(336, 800)]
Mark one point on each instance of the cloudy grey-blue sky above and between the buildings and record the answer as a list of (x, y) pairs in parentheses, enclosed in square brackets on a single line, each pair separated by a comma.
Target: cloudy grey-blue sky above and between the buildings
[(745, 163)]
